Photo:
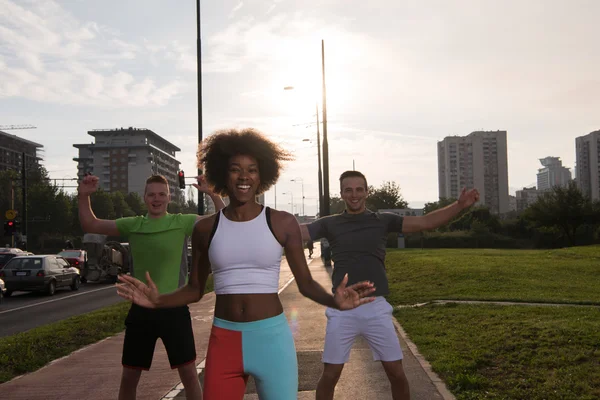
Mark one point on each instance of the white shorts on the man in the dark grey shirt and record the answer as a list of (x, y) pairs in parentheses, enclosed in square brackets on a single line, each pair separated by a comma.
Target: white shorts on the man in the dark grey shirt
[(373, 321)]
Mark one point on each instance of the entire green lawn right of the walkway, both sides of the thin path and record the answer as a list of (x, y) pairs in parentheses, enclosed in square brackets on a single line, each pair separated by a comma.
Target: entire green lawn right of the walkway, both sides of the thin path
[(504, 352)]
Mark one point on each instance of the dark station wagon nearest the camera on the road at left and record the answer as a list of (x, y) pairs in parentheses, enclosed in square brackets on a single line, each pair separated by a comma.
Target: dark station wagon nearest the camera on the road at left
[(44, 273)]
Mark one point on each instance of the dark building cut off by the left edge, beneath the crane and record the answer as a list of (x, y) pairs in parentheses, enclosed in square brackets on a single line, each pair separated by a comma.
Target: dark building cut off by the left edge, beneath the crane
[(11, 152)]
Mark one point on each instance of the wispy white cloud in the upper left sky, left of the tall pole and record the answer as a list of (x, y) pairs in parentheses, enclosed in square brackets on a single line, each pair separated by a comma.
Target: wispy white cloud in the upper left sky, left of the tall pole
[(48, 55)]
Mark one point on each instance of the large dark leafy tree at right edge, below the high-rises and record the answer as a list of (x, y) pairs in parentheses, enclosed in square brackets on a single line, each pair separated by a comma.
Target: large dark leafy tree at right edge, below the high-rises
[(563, 208)]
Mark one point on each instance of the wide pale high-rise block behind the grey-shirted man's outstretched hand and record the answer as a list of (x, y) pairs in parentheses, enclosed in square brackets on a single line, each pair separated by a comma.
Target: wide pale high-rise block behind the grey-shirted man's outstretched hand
[(478, 160)]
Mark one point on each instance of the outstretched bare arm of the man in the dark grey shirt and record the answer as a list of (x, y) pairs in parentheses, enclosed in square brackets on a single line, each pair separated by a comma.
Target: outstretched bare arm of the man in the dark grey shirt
[(442, 216)]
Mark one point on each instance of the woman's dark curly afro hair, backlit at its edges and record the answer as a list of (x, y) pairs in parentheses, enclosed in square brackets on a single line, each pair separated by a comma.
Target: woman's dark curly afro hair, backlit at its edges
[(216, 150)]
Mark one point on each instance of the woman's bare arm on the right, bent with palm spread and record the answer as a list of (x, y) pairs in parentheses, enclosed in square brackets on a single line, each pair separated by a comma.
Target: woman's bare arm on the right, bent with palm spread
[(289, 234)]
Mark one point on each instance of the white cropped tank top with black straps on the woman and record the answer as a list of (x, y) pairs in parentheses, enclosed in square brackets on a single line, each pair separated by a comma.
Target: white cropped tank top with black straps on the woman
[(245, 257)]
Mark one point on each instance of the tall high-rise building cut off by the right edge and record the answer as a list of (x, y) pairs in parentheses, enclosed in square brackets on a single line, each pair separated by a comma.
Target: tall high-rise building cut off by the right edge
[(587, 164)]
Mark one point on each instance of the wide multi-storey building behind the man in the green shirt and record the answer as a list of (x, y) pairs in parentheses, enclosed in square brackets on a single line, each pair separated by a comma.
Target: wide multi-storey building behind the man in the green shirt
[(124, 158)]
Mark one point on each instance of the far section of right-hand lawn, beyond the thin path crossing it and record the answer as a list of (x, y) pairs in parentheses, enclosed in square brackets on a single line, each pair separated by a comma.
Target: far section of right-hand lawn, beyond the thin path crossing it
[(563, 275)]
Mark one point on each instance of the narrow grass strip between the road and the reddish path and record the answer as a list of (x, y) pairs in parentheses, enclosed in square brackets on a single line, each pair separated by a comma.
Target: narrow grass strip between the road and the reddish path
[(29, 351)]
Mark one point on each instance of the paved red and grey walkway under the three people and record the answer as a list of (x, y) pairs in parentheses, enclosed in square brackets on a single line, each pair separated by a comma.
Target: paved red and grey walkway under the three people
[(93, 373)]
